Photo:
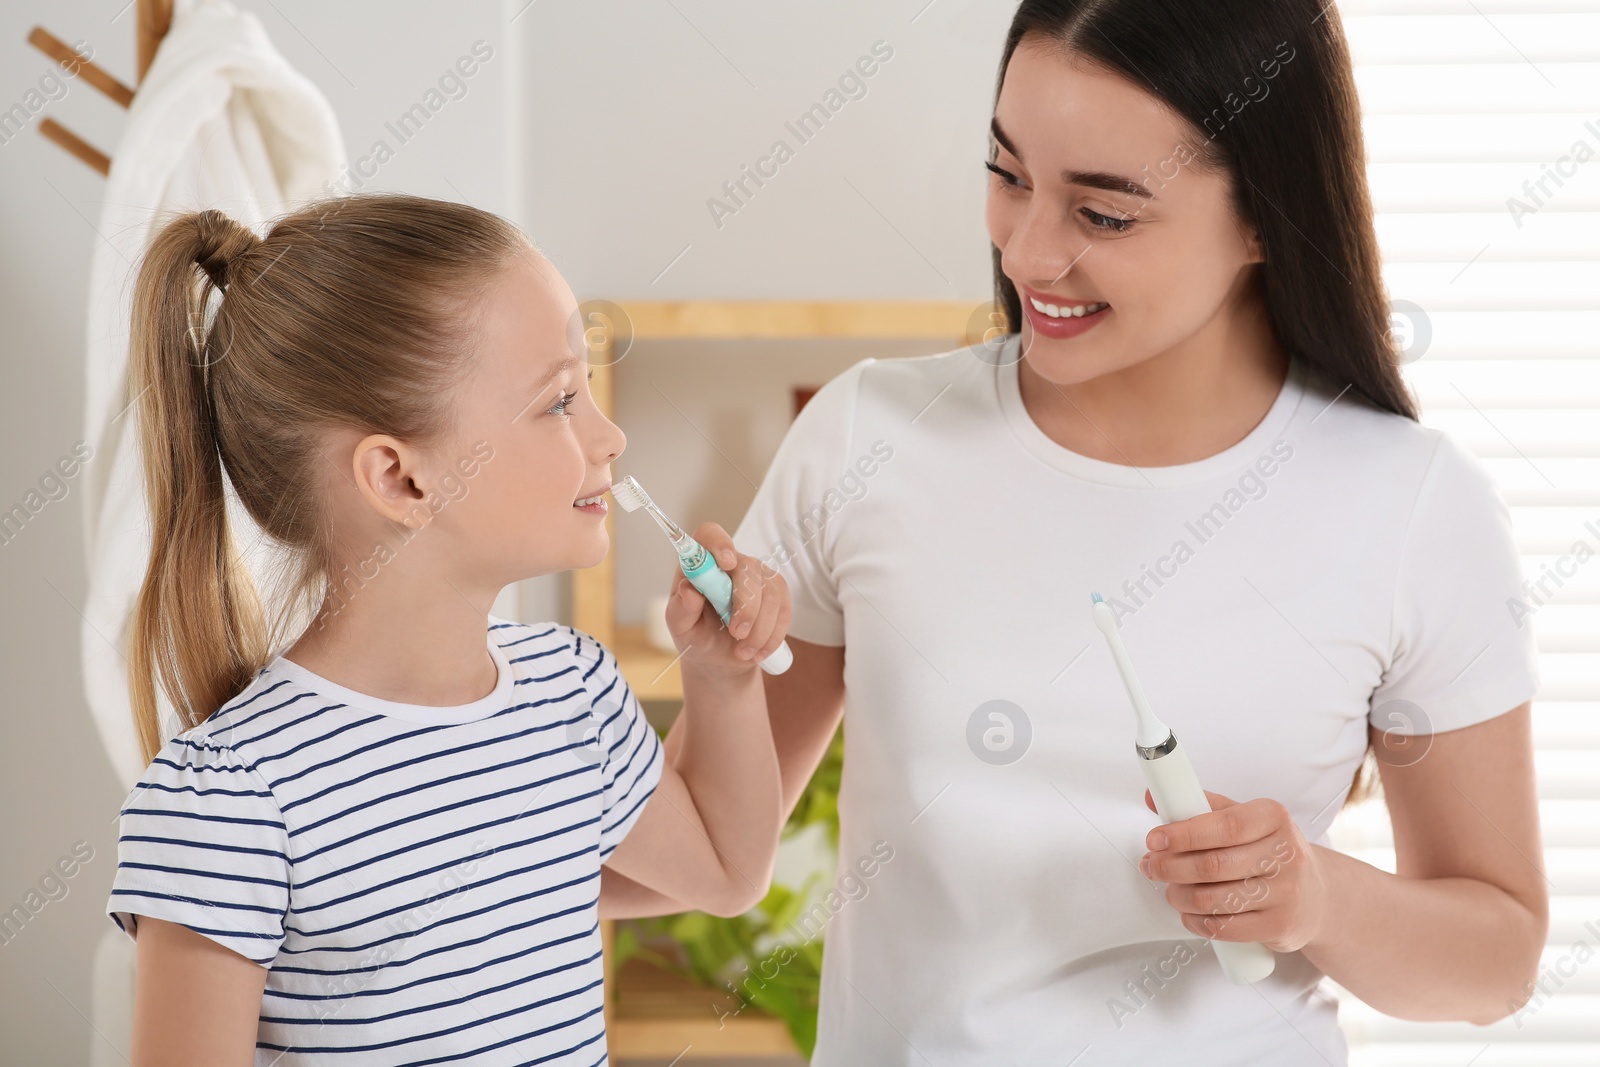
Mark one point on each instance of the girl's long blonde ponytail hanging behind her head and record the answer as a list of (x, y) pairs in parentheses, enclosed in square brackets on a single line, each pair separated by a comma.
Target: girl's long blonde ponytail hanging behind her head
[(198, 625)]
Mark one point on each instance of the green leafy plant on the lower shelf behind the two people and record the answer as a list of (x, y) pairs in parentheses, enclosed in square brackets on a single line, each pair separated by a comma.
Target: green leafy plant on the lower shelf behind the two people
[(751, 956)]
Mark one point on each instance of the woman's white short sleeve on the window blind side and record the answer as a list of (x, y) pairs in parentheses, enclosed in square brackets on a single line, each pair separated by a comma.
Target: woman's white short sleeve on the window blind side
[(1462, 652)]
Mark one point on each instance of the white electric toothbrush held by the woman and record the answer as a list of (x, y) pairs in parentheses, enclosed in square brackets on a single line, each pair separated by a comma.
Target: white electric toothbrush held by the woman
[(1177, 791)]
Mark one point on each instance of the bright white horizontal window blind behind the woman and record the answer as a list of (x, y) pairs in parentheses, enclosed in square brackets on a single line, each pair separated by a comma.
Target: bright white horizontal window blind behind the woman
[(1482, 122)]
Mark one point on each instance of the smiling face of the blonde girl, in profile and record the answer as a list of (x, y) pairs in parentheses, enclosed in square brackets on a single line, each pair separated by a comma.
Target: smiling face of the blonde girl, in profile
[(527, 406)]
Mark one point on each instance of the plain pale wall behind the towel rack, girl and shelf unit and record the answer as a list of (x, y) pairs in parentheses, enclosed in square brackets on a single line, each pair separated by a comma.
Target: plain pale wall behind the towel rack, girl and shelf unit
[(604, 129)]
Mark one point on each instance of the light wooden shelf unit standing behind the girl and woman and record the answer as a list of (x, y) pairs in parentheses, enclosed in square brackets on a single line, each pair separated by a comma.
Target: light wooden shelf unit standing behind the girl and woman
[(652, 1013)]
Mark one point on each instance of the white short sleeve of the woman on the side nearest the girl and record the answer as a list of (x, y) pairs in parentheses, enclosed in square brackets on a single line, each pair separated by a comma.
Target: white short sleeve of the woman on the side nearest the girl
[(786, 526)]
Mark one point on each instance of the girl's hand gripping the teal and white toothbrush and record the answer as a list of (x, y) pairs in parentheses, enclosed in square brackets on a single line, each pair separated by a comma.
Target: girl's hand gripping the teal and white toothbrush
[(758, 618)]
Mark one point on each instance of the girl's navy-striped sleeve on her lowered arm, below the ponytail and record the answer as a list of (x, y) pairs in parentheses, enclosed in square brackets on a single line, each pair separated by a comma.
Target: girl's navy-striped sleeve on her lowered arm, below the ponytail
[(202, 844)]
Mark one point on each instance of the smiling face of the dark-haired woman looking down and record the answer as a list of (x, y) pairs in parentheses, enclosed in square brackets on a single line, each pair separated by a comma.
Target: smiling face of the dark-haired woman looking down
[(1098, 204)]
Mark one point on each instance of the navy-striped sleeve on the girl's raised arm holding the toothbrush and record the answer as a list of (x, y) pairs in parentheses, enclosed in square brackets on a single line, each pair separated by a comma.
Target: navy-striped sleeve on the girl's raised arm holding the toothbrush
[(631, 753)]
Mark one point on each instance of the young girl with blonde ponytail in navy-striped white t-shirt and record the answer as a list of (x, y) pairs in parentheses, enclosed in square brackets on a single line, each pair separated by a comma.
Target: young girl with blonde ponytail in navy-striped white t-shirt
[(383, 844)]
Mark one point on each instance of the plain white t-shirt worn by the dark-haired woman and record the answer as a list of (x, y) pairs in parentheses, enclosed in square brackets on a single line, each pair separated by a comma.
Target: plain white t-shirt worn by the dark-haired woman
[(1335, 567)]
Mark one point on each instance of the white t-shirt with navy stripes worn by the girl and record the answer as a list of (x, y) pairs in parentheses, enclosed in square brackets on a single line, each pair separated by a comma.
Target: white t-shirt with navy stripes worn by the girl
[(422, 882)]
